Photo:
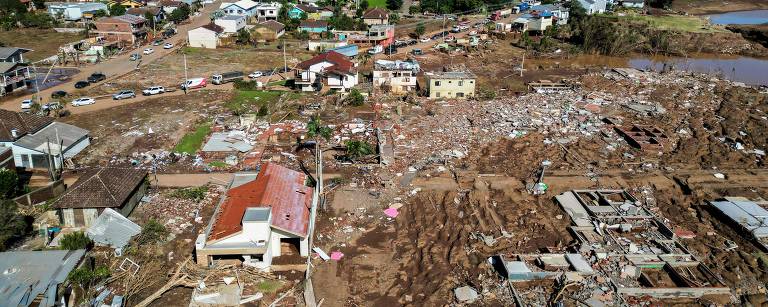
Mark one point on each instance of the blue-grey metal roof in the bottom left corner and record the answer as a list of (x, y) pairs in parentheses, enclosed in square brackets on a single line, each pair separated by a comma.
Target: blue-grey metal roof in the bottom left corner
[(29, 274)]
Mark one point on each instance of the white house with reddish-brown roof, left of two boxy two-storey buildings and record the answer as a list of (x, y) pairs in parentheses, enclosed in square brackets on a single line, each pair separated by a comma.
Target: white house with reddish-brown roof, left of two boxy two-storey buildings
[(331, 69)]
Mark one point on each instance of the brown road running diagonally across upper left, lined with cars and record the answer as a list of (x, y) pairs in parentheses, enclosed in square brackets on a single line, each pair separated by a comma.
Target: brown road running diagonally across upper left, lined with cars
[(120, 65)]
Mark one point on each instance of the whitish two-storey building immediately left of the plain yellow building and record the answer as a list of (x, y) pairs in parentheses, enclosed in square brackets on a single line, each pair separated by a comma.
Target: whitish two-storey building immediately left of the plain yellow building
[(395, 76)]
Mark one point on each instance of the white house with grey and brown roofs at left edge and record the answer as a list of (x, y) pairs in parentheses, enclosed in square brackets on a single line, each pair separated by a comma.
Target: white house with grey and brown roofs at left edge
[(36, 140)]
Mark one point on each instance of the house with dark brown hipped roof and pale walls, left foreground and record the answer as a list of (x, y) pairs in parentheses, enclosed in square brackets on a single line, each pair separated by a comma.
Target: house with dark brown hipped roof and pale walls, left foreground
[(119, 189)]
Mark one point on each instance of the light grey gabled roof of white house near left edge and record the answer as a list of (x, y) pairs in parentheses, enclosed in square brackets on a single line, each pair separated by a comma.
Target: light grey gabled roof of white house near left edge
[(54, 133)]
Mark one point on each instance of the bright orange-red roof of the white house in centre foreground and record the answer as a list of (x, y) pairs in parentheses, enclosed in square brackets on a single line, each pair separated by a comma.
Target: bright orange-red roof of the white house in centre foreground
[(276, 187)]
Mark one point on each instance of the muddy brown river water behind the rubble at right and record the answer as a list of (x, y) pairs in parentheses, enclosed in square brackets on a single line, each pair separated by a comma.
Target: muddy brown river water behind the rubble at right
[(748, 70)]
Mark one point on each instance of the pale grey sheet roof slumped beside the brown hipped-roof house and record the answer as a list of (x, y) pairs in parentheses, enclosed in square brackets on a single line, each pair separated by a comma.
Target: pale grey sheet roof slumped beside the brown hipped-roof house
[(112, 229)]
